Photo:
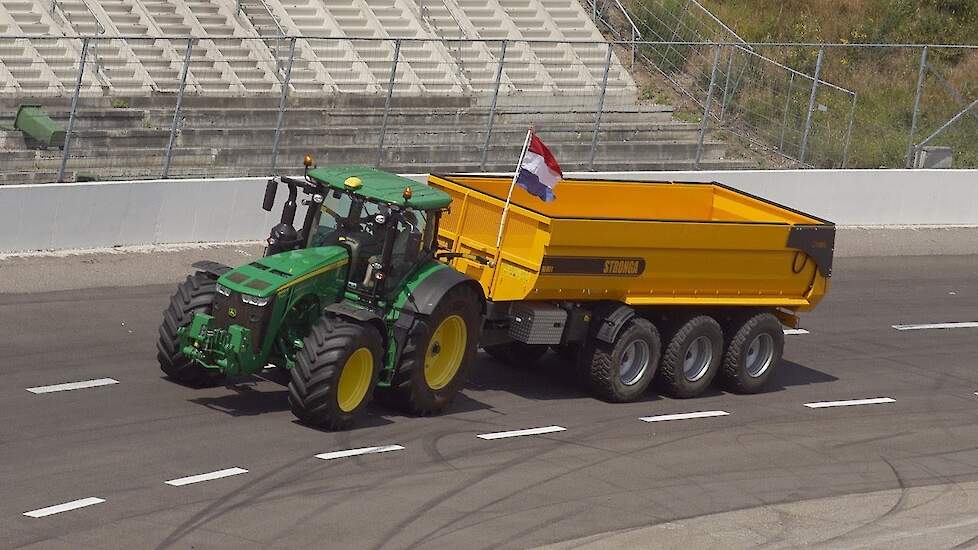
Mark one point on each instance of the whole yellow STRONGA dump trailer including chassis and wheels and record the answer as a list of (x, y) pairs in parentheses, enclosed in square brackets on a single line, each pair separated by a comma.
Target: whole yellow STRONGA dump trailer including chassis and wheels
[(698, 266)]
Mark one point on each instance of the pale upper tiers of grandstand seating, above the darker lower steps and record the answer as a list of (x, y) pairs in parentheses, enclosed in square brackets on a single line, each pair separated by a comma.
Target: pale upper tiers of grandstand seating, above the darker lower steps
[(227, 59)]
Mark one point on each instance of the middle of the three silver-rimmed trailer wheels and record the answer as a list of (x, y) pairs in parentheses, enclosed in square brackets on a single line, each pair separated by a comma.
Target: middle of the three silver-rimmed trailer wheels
[(692, 357)]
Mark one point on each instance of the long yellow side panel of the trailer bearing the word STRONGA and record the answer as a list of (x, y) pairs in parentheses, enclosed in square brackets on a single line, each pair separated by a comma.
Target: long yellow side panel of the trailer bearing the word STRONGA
[(684, 264)]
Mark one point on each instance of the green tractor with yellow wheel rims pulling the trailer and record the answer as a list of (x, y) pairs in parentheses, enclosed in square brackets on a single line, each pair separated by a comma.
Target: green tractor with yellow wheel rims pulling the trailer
[(356, 299)]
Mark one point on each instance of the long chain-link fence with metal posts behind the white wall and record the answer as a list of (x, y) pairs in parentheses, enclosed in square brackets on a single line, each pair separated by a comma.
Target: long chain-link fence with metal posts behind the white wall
[(139, 107)]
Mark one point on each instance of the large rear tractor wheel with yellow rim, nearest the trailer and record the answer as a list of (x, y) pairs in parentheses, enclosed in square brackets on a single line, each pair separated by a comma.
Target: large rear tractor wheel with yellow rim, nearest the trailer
[(438, 353)]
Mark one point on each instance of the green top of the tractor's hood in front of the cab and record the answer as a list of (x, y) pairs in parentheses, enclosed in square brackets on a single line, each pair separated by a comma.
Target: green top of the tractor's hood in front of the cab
[(273, 274)]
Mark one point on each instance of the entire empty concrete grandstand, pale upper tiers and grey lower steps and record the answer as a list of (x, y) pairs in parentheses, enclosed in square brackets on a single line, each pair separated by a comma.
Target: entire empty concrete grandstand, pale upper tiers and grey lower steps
[(338, 84)]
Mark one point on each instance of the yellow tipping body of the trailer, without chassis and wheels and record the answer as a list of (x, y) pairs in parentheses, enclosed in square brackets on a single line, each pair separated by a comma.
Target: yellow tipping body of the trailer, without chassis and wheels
[(639, 243)]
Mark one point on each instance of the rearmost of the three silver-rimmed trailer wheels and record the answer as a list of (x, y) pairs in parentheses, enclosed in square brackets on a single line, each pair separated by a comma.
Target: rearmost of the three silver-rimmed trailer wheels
[(754, 349)]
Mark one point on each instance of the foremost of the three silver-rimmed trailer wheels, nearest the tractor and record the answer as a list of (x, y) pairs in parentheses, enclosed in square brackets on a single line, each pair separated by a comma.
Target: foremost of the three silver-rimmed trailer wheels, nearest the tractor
[(622, 371)]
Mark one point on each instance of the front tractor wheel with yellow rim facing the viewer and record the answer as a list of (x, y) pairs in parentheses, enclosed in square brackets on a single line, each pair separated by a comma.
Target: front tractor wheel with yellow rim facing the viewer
[(335, 373)]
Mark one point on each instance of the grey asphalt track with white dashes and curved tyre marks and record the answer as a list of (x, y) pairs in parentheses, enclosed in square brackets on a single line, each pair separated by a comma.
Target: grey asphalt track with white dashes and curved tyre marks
[(771, 473)]
